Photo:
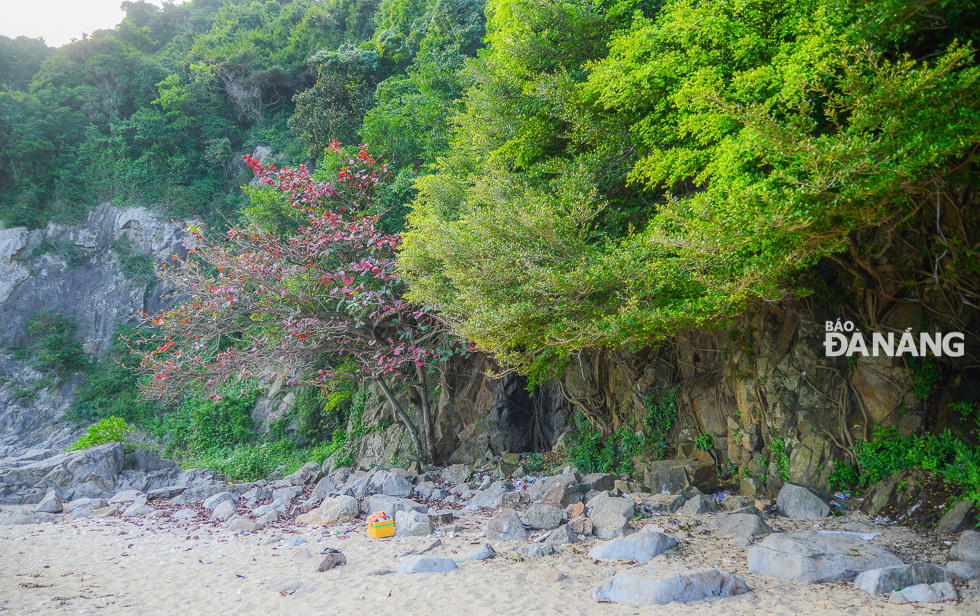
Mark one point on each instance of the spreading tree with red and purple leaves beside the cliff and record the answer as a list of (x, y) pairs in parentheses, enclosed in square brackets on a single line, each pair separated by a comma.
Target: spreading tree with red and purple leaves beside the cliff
[(264, 303)]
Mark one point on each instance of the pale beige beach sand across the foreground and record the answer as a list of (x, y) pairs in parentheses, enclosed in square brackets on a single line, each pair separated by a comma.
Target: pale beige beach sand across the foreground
[(120, 566)]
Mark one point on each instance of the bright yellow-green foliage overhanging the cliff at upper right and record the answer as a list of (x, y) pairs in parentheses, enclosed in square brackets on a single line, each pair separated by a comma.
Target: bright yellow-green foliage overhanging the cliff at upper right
[(627, 169)]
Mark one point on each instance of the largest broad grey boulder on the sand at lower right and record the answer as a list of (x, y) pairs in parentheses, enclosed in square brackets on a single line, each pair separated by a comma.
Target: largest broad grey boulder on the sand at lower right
[(812, 557)]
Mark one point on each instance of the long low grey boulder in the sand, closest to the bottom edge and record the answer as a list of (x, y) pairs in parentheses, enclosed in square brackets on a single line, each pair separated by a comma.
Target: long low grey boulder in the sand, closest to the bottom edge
[(658, 586)]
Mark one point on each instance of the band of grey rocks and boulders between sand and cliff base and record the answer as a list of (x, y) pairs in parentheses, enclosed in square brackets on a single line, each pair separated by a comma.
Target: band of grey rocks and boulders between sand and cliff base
[(638, 547)]
